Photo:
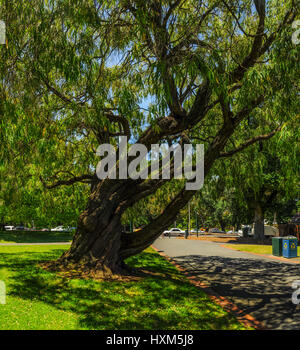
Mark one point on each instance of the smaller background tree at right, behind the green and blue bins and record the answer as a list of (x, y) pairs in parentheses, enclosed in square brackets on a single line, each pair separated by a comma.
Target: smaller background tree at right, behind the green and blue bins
[(265, 176)]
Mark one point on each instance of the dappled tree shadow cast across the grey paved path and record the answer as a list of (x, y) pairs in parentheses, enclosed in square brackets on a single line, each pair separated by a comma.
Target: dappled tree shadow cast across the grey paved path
[(259, 287)]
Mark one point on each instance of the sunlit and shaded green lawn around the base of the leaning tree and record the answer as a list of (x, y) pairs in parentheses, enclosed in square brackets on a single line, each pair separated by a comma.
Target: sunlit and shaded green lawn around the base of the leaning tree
[(38, 299)]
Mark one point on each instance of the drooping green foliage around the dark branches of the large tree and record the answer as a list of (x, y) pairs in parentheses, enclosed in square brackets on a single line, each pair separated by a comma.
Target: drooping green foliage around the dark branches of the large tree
[(67, 63)]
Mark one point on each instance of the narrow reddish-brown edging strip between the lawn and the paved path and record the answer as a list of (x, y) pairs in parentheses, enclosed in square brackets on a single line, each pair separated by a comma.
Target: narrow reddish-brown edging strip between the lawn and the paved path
[(246, 319)]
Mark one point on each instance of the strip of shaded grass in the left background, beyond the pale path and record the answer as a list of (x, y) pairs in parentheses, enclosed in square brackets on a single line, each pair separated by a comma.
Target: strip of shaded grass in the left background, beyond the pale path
[(34, 237)]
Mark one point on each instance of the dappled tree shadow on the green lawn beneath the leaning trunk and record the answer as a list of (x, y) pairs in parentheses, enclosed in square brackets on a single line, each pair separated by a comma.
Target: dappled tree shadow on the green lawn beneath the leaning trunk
[(165, 301)]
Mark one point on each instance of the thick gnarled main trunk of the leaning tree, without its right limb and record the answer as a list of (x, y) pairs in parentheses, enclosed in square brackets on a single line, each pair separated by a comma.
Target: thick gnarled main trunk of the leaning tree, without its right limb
[(95, 249)]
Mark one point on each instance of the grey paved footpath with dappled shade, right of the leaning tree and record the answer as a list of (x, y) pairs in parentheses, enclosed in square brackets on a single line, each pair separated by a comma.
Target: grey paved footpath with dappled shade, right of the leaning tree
[(260, 286)]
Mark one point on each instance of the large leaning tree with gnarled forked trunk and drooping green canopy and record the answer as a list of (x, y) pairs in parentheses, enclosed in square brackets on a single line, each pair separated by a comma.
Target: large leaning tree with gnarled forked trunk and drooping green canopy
[(78, 74)]
